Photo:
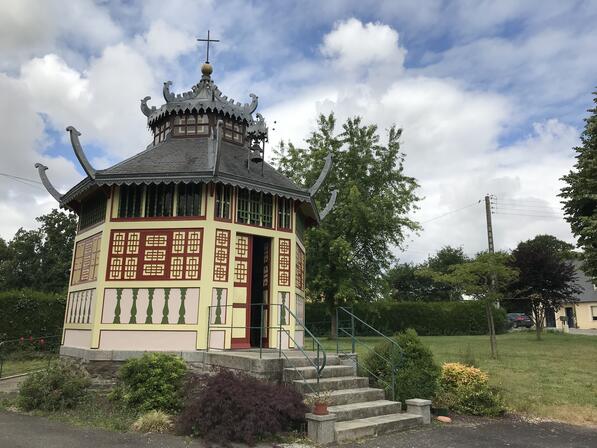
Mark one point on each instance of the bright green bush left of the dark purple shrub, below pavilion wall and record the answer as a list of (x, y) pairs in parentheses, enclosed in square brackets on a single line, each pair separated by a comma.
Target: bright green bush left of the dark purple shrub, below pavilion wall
[(152, 382)]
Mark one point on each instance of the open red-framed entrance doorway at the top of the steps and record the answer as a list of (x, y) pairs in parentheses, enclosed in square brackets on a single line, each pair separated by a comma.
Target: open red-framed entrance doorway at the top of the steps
[(252, 287)]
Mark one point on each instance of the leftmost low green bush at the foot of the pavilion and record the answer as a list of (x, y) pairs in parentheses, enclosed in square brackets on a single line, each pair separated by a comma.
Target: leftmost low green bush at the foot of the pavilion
[(62, 386)]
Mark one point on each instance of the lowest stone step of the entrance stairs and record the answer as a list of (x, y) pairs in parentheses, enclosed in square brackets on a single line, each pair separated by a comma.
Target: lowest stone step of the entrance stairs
[(374, 426)]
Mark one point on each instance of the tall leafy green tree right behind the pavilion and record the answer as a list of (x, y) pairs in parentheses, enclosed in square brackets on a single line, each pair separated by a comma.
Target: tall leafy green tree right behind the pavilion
[(351, 249)]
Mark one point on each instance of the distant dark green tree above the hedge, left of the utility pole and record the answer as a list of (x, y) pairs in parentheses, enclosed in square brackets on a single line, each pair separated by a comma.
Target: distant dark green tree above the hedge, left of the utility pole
[(409, 283)]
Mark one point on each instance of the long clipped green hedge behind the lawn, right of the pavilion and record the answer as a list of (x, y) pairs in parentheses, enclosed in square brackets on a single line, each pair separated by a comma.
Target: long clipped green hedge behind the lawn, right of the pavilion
[(427, 318)]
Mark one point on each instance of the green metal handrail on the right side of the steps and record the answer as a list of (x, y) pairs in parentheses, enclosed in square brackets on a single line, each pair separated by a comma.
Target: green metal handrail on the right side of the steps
[(396, 349)]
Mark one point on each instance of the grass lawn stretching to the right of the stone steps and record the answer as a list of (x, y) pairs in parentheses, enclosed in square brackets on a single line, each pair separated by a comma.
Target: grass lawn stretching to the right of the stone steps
[(553, 378)]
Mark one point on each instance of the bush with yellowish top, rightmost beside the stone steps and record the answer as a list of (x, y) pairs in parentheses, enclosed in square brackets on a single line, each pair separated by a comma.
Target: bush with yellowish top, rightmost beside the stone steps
[(466, 390)]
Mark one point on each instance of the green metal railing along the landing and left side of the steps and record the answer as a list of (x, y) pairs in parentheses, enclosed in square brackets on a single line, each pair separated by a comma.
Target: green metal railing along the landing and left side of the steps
[(265, 312)]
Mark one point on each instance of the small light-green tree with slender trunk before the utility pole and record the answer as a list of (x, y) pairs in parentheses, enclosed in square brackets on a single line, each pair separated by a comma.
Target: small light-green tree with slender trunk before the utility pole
[(485, 278)]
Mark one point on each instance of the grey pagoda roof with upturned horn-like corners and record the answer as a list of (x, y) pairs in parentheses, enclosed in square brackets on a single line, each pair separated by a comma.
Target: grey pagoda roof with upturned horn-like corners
[(195, 159)]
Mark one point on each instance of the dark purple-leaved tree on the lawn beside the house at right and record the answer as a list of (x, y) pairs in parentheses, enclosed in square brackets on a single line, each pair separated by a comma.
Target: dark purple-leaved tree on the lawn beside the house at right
[(547, 277)]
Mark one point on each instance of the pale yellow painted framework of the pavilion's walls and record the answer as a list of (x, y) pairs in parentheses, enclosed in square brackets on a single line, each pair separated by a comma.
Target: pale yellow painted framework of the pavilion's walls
[(206, 283)]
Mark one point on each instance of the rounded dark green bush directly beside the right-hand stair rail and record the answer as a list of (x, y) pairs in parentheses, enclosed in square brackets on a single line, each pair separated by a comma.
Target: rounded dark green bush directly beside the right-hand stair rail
[(417, 373)]
